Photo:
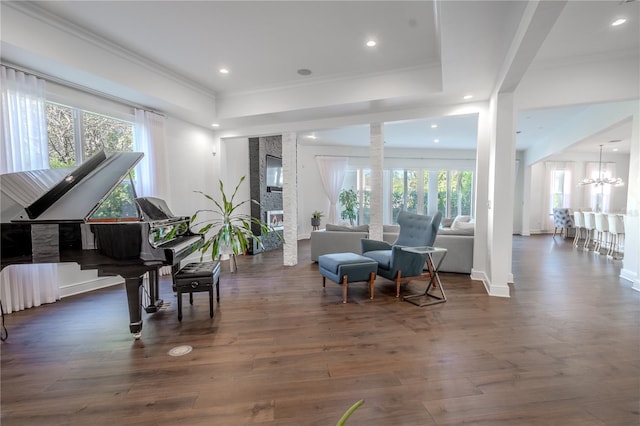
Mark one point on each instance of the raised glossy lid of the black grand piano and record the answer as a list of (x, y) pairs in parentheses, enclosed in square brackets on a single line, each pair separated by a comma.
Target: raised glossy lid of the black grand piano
[(78, 194)]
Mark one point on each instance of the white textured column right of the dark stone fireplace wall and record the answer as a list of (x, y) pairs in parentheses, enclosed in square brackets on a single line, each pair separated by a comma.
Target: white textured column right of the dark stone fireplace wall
[(290, 198)]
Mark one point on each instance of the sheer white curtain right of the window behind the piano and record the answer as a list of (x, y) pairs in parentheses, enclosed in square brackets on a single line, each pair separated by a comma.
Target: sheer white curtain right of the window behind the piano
[(149, 138)]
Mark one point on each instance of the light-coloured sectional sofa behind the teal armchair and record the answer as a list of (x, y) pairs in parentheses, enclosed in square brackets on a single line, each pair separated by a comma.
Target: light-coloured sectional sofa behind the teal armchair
[(456, 238)]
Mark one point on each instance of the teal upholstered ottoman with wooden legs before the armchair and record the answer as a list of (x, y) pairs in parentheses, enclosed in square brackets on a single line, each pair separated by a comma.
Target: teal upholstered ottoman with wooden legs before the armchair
[(345, 268)]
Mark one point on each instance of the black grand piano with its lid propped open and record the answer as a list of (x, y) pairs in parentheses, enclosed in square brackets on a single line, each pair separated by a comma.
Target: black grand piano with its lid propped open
[(92, 216)]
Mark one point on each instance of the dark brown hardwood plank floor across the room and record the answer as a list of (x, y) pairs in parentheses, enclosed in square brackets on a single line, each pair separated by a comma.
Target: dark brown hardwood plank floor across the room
[(281, 350)]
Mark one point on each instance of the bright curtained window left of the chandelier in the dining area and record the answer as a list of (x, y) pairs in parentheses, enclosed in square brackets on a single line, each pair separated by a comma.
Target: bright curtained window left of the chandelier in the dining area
[(557, 189)]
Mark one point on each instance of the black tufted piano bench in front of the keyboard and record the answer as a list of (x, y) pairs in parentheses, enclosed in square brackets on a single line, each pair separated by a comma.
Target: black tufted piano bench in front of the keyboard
[(196, 277)]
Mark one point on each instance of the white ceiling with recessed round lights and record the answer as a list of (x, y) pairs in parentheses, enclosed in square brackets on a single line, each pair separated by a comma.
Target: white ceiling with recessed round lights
[(265, 43)]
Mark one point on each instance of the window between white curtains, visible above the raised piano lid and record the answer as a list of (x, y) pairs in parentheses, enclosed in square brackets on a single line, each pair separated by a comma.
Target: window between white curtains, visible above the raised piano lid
[(75, 135)]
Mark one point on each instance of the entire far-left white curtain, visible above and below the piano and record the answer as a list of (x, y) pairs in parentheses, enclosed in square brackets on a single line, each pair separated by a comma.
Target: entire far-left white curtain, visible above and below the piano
[(25, 147)]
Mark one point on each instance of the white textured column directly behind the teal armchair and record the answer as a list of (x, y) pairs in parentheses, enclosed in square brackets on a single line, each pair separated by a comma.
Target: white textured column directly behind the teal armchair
[(377, 164)]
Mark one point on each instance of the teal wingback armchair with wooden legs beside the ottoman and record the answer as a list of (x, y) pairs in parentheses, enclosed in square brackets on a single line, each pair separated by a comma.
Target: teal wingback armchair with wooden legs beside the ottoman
[(395, 264)]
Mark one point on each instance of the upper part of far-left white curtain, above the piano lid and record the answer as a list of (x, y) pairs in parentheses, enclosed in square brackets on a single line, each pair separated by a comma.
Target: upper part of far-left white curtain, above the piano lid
[(24, 123)]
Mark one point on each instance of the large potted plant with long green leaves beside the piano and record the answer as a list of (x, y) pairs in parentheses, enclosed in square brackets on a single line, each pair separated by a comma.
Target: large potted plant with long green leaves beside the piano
[(232, 232)]
